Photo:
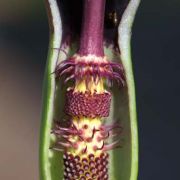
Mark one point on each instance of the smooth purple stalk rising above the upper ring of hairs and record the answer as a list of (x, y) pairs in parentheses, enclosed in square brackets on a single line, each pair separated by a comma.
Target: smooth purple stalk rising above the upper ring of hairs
[(91, 40)]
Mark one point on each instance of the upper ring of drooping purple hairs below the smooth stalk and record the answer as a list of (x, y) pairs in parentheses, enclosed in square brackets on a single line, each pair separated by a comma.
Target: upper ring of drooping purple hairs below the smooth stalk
[(75, 69)]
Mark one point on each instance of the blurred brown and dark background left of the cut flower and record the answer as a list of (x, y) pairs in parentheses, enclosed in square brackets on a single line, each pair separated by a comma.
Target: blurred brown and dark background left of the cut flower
[(23, 51)]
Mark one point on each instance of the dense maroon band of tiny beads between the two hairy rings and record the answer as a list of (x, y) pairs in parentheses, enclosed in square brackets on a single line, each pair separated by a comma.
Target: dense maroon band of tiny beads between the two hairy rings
[(87, 104)]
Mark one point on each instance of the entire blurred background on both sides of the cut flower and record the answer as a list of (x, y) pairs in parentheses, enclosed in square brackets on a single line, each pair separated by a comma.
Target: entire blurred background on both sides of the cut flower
[(23, 52)]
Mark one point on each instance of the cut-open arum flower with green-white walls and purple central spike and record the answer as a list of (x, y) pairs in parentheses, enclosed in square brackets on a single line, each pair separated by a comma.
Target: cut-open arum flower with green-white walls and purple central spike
[(89, 104)]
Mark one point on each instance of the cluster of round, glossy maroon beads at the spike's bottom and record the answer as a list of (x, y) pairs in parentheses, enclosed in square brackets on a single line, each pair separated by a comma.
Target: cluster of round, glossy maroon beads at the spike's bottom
[(83, 169)]
